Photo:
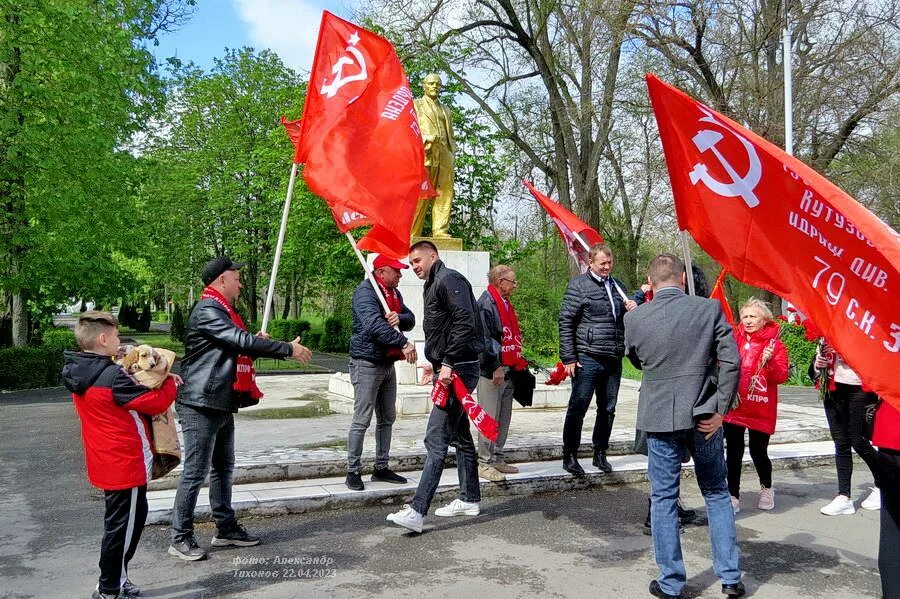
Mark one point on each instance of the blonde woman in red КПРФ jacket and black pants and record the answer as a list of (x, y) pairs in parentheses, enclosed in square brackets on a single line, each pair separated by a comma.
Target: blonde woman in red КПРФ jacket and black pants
[(764, 365)]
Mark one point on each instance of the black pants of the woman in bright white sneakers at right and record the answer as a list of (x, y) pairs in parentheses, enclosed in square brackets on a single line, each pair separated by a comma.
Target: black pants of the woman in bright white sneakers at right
[(845, 408)]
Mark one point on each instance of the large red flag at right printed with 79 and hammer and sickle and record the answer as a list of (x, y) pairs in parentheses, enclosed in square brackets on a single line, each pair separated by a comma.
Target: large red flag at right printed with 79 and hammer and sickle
[(775, 223)]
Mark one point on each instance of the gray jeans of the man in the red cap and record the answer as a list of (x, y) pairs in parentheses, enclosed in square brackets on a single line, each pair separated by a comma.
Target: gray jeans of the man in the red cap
[(374, 389)]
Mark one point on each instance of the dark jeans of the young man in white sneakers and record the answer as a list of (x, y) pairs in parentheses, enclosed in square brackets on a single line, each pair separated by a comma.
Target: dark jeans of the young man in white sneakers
[(448, 426)]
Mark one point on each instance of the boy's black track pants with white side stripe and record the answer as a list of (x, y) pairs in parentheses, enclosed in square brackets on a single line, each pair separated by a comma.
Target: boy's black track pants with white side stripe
[(126, 512)]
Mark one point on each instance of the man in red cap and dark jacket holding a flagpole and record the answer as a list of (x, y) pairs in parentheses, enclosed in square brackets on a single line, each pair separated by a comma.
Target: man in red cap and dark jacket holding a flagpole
[(374, 347)]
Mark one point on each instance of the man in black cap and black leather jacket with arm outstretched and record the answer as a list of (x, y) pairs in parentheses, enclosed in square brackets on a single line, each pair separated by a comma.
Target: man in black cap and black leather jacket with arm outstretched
[(218, 379)]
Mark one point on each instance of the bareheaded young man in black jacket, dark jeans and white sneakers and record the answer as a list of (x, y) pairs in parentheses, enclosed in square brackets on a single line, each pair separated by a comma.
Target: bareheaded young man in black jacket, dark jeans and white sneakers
[(453, 340)]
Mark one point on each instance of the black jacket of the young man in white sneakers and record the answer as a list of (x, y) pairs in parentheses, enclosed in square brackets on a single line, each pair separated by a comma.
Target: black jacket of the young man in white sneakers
[(452, 325)]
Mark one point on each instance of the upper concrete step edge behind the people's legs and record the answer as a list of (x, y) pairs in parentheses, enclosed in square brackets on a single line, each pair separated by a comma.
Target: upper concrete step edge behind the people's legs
[(286, 464)]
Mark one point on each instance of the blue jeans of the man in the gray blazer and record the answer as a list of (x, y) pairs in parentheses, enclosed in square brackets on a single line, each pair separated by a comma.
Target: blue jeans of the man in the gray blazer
[(664, 468)]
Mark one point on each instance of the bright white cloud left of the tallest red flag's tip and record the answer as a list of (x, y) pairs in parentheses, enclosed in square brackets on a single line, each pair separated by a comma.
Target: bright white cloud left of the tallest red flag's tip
[(287, 27)]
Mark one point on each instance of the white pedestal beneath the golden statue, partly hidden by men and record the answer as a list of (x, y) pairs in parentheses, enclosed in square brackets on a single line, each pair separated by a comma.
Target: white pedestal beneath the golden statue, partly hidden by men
[(474, 266)]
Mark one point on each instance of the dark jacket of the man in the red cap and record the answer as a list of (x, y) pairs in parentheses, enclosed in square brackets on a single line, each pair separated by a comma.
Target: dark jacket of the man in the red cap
[(371, 335)]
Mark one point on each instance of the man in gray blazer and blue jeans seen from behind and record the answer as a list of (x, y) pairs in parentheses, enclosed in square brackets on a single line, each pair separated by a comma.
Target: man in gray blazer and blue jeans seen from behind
[(690, 360)]
